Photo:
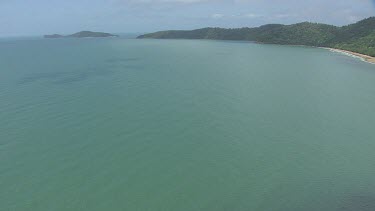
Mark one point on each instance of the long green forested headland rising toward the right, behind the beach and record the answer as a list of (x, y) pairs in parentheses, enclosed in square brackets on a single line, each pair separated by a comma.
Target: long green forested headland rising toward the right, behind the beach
[(358, 37)]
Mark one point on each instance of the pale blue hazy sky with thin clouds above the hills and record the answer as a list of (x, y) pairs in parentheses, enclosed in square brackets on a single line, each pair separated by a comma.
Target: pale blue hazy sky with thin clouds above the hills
[(38, 17)]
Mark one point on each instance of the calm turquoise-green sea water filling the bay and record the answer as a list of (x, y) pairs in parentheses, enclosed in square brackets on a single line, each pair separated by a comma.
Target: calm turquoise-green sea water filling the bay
[(124, 124)]
